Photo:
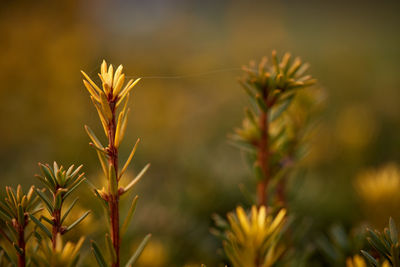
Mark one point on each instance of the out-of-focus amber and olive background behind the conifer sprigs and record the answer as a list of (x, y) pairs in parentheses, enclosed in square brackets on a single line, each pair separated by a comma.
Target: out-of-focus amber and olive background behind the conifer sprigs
[(354, 52)]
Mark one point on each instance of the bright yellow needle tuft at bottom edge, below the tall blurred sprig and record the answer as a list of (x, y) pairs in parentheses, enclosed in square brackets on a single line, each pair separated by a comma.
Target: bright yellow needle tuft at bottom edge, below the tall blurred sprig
[(253, 240)]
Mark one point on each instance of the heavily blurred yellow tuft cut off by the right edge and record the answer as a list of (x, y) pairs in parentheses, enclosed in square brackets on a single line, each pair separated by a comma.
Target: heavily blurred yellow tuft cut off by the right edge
[(379, 191)]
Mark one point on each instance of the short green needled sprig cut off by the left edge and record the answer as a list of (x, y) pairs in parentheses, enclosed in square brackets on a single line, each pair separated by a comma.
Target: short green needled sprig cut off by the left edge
[(15, 210)]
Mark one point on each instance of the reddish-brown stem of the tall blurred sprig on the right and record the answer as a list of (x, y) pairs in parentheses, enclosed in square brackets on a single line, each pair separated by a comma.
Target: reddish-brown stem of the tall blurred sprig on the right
[(263, 156)]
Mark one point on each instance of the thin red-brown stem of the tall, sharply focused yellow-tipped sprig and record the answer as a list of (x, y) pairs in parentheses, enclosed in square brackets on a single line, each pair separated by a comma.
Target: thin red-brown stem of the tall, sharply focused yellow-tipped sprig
[(114, 196)]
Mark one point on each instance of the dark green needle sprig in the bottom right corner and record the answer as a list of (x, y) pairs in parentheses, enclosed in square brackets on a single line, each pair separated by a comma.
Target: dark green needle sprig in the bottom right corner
[(386, 244)]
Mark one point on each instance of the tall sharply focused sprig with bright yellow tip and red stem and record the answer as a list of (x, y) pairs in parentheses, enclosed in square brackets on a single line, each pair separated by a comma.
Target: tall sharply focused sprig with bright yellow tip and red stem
[(107, 99)]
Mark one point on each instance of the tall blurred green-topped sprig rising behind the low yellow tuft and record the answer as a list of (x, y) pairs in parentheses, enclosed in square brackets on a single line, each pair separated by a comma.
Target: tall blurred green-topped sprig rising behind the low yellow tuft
[(272, 89)]
